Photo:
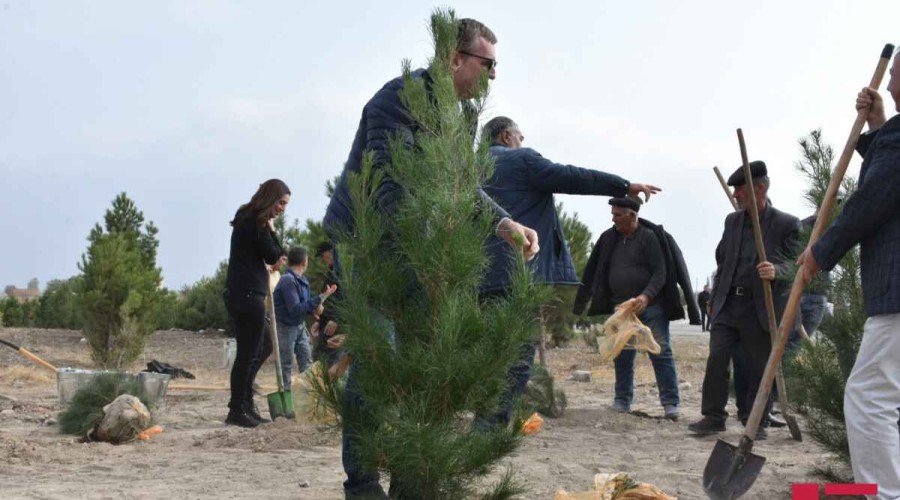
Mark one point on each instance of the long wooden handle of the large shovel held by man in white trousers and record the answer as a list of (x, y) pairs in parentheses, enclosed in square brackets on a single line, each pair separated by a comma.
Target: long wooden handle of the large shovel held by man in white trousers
[(824, 211)]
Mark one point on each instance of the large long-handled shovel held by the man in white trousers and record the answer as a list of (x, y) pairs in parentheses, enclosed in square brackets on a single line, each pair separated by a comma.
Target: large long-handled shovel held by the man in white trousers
[(731, 470)]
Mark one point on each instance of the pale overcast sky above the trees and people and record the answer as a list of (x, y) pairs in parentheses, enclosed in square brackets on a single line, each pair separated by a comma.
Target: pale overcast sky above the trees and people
[(188, 105)]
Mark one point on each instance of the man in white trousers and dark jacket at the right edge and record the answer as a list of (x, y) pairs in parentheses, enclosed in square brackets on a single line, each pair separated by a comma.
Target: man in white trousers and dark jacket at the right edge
[(871, 218)]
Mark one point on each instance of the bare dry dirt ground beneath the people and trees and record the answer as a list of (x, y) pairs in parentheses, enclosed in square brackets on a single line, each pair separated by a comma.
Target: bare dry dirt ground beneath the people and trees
[(199, 457)]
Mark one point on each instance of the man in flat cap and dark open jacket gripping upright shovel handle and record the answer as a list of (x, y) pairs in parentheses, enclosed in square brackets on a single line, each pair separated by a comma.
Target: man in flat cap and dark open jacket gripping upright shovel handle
[(738, 317)]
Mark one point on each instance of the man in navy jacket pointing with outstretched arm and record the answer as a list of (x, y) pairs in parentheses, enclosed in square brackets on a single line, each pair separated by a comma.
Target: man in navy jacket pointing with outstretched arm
[(523, 183)]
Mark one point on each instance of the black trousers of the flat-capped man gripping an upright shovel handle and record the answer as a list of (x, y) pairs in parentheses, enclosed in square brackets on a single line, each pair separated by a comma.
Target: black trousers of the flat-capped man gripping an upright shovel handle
[(736, 327)]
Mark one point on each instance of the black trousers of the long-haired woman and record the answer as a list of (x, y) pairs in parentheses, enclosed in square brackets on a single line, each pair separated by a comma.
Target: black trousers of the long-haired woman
[(248, 312)]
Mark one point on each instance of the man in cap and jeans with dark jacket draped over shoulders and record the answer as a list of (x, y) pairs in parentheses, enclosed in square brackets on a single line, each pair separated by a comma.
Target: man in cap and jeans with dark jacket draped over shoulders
[(639, 261)]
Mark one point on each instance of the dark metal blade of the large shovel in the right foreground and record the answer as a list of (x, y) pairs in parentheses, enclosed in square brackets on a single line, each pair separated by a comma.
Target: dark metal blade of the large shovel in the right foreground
[(731, 470)]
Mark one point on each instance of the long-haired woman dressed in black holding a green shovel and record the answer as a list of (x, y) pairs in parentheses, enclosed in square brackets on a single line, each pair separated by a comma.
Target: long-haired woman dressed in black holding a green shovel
[(253, 245)]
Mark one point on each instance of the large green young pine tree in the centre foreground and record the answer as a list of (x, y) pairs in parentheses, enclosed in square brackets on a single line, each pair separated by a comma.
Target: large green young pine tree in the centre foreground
[(428, 351)]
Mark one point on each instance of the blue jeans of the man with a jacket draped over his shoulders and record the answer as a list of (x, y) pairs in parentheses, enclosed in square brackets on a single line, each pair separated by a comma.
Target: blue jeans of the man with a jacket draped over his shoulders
[(663, 363)]
